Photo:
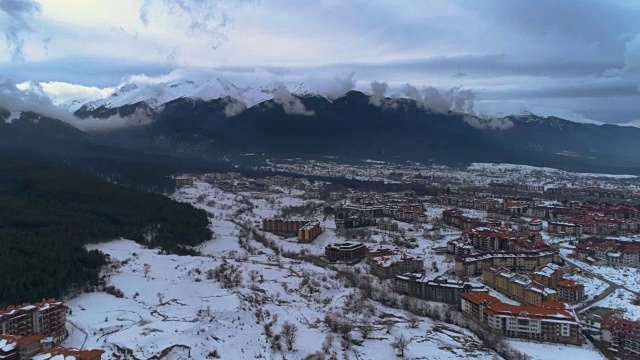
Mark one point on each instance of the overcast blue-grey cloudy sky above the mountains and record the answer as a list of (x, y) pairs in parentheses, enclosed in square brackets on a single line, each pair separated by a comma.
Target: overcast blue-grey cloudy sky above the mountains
[(576, 58)]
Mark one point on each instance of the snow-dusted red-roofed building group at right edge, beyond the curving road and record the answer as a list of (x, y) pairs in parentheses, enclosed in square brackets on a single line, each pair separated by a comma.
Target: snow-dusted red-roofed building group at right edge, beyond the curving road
[(600, 251)]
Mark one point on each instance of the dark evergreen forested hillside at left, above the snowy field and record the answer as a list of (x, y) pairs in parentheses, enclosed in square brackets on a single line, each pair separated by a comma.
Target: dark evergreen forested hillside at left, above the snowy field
[(49, 211)]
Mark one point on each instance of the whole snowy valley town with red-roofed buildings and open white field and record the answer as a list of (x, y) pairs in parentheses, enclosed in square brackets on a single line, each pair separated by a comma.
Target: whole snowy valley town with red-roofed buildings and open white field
[(515, 263)]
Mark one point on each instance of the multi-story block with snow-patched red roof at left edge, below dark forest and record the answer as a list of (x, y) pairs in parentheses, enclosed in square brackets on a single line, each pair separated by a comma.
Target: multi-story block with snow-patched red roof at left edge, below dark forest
[(47, 318)]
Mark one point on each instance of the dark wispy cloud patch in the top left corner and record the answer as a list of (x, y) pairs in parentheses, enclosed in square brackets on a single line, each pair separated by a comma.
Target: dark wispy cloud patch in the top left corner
[(19, 13)]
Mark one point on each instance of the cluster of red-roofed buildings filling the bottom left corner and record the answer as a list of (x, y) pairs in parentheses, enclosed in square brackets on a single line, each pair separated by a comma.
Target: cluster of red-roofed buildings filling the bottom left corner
[(34, 331)]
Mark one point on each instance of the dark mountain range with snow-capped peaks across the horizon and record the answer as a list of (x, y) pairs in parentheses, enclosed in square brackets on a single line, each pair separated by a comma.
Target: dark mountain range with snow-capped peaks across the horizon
[(211, 119)]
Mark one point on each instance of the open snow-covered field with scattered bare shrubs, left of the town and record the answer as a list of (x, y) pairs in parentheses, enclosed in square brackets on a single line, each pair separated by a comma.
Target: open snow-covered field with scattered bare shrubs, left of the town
[(178, 308)]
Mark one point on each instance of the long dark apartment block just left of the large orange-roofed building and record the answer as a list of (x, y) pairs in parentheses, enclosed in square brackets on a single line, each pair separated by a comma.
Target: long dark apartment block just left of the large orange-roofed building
[(440, 289)]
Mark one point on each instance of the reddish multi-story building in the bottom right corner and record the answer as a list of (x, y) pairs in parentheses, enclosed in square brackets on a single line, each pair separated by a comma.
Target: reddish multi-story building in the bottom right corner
[(623, 337)]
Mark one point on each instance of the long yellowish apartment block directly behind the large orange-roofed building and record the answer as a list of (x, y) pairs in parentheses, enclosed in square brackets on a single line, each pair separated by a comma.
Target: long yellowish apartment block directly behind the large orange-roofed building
[(518, 287)]
